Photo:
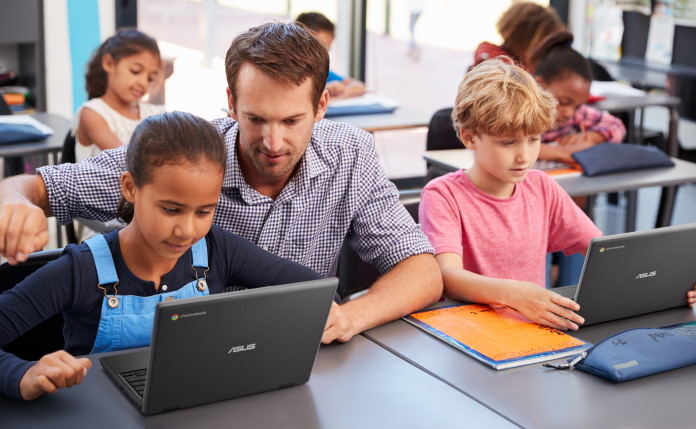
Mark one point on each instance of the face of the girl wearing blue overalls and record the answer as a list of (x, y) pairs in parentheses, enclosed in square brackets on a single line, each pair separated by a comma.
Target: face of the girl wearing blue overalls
[(175, 209)]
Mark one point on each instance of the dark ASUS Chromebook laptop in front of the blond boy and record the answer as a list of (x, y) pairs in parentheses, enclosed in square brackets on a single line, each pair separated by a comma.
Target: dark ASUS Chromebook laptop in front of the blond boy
[(635, 273)]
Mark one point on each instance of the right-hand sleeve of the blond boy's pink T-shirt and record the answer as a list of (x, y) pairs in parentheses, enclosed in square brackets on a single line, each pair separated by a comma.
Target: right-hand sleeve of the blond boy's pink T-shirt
[(570, 229)]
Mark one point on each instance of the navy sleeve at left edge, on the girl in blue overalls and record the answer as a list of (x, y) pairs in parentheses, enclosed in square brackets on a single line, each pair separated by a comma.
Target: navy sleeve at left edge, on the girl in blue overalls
[(41, 295)]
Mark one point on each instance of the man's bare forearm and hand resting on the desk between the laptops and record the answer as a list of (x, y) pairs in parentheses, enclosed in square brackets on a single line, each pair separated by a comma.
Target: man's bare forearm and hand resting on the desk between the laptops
[(410, 285)]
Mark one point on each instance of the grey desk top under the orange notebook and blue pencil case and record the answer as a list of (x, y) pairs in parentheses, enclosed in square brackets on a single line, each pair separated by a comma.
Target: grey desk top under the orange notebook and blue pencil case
[(537, 397)]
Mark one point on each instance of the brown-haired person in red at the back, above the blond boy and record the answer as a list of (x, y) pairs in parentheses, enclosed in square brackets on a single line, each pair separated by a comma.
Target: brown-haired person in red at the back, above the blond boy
[(523, 26)]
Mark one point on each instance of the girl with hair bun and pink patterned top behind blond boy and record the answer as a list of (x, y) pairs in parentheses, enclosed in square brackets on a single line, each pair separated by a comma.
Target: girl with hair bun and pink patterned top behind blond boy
[(567, 75)]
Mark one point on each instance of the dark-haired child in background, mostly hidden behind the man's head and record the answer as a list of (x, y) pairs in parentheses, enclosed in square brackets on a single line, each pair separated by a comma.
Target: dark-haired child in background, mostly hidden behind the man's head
[(325, 30)]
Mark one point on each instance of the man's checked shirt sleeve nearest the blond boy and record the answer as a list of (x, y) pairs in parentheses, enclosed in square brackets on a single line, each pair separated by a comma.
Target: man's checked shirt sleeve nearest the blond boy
[(382, 232)]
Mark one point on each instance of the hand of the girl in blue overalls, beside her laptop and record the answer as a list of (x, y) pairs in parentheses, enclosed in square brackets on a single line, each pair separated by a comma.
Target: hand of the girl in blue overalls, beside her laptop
[(54, 371)]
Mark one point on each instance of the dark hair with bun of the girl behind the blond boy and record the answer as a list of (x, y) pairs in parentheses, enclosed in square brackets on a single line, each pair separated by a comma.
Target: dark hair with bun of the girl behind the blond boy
[(555, 59)]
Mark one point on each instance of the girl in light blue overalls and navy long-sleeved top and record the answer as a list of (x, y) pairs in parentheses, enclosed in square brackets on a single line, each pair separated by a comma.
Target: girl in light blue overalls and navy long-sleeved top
[(107, 287)]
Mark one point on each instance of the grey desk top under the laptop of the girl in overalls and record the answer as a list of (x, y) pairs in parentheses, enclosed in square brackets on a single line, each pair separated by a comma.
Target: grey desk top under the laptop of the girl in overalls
[(356, 384)]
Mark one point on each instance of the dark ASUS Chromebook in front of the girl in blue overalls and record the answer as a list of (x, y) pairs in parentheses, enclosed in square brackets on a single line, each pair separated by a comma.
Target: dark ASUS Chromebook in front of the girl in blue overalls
[(207, 349)]
